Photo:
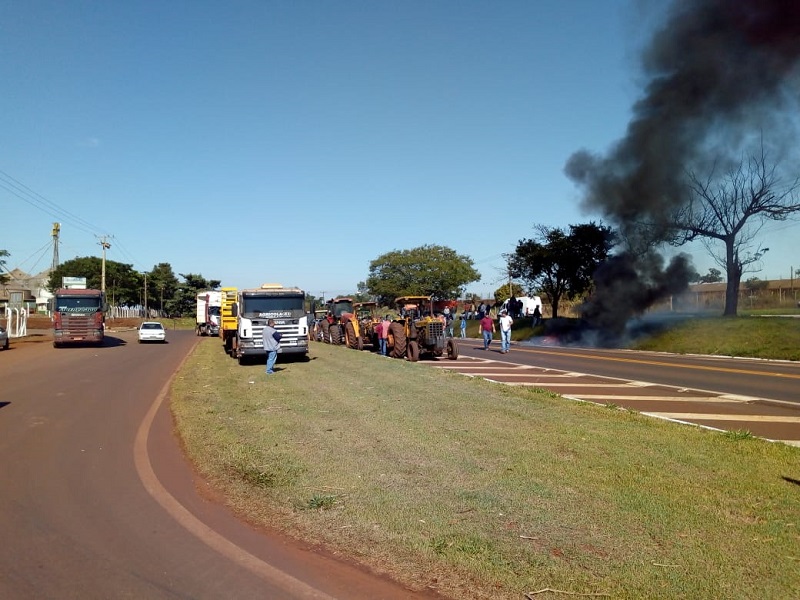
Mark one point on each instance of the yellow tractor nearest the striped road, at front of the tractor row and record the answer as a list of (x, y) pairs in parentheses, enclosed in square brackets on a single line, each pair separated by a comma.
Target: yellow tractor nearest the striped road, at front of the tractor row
[(418, 333)]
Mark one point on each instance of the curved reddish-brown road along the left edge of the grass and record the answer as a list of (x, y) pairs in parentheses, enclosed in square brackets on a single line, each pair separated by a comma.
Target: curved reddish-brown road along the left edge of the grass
[(96, 500)]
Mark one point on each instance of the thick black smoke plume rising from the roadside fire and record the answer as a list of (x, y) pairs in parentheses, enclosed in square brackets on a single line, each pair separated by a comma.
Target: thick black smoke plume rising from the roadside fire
[(719, 73)]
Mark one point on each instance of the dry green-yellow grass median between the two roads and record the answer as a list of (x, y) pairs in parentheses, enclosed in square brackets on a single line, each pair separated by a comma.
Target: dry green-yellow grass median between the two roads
[(487, 491)]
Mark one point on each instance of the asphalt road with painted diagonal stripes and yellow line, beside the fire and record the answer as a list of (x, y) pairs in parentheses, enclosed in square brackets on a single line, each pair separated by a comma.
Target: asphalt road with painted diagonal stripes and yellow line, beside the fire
[(758, 396)]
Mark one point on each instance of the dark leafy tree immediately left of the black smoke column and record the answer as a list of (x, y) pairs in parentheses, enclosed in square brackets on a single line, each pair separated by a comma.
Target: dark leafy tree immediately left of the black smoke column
[(560, 263)]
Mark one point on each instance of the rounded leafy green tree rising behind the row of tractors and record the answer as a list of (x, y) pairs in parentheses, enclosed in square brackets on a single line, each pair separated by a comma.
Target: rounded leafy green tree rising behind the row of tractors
[(428, 270)]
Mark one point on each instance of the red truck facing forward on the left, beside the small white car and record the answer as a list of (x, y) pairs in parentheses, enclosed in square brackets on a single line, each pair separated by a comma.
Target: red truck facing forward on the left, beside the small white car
[(78, 316)]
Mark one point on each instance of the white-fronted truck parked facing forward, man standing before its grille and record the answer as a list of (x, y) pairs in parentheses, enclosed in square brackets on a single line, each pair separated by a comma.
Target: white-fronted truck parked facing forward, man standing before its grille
[(254, 307)]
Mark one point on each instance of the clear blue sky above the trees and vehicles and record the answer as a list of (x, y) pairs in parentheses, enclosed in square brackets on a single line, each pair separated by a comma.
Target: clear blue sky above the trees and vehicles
[(295, 142)]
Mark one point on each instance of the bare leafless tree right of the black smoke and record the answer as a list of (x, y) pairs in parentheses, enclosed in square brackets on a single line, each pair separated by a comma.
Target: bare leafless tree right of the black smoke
[(732, 209)]
